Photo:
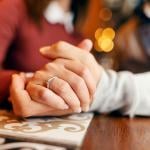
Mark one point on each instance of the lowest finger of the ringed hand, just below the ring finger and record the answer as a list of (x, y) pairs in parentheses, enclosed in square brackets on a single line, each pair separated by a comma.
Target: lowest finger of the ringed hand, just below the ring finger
[(39, 93)]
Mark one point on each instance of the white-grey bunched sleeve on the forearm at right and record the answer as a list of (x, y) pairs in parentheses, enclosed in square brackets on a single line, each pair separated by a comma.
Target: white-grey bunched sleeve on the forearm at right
[(124, 91)]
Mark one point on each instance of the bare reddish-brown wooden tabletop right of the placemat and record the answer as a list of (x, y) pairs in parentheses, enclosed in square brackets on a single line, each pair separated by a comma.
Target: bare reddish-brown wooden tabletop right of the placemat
[(118, 133)]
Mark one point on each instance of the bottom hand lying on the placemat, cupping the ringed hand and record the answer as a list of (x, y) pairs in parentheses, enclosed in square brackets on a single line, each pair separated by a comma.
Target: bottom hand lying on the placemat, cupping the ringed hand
[(24, 106)]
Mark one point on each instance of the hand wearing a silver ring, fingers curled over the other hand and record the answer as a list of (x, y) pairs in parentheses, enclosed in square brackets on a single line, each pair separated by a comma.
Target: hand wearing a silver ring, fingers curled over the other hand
[(73, 87)]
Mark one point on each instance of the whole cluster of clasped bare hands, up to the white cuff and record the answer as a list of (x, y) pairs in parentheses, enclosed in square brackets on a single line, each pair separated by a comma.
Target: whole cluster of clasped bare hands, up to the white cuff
[(76, 71)]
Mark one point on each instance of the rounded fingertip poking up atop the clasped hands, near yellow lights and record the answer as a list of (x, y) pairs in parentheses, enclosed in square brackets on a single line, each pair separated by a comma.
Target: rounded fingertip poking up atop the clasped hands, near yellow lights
[(86, 45)]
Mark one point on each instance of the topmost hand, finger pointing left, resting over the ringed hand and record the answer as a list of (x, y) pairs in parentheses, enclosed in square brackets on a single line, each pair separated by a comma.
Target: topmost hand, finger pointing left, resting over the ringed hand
[(70, 52)]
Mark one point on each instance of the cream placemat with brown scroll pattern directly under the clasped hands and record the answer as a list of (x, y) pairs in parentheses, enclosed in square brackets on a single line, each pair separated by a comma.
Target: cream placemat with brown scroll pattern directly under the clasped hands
[(68, 131)]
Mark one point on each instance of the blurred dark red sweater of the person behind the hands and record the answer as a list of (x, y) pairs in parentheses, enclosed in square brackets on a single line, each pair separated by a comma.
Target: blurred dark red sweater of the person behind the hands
[(21, 38)]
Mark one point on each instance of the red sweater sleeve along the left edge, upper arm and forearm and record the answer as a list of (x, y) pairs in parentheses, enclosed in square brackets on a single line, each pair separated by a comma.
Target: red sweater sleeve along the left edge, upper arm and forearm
[(9, 19)]
